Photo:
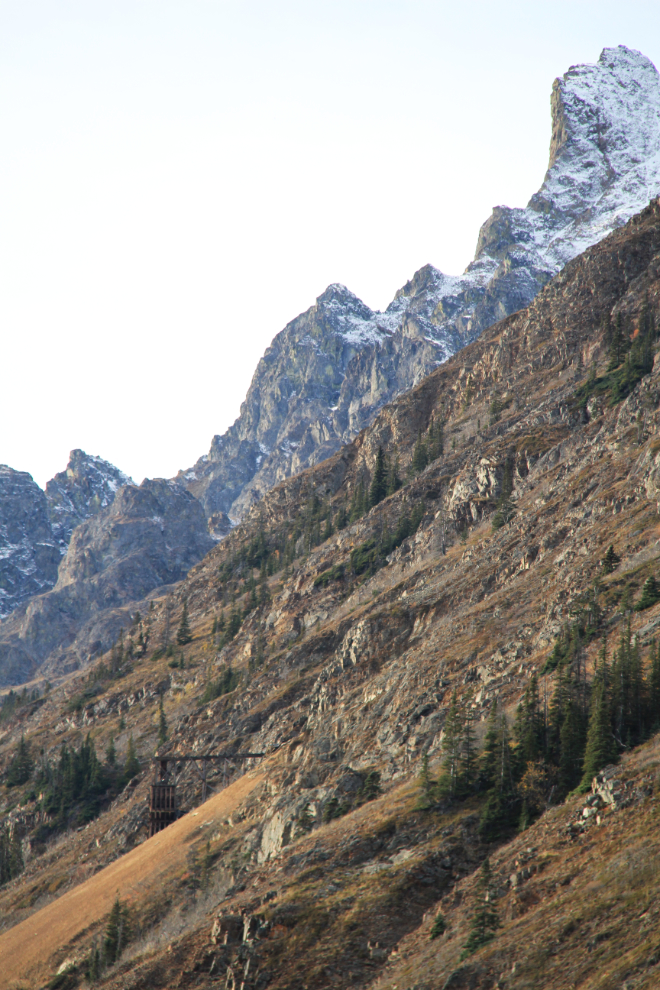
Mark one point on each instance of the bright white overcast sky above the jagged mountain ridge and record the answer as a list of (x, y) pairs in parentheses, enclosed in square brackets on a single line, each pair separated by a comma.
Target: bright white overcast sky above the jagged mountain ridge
[(178, 180)]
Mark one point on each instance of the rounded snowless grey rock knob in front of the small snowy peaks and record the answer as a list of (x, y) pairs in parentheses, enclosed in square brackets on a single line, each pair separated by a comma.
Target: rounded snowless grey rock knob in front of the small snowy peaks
[(148, 537)]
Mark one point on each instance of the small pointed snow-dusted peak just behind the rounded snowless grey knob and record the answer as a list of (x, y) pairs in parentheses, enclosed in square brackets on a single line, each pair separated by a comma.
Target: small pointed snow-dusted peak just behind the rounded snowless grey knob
[(88, 485)]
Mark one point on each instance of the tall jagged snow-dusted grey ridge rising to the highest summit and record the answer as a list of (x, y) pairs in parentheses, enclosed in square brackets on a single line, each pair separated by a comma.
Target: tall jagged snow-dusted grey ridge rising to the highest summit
[(329, 371)]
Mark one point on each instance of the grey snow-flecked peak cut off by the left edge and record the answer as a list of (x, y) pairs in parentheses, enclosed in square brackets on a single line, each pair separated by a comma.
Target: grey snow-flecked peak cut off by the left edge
[(29, 554)]
